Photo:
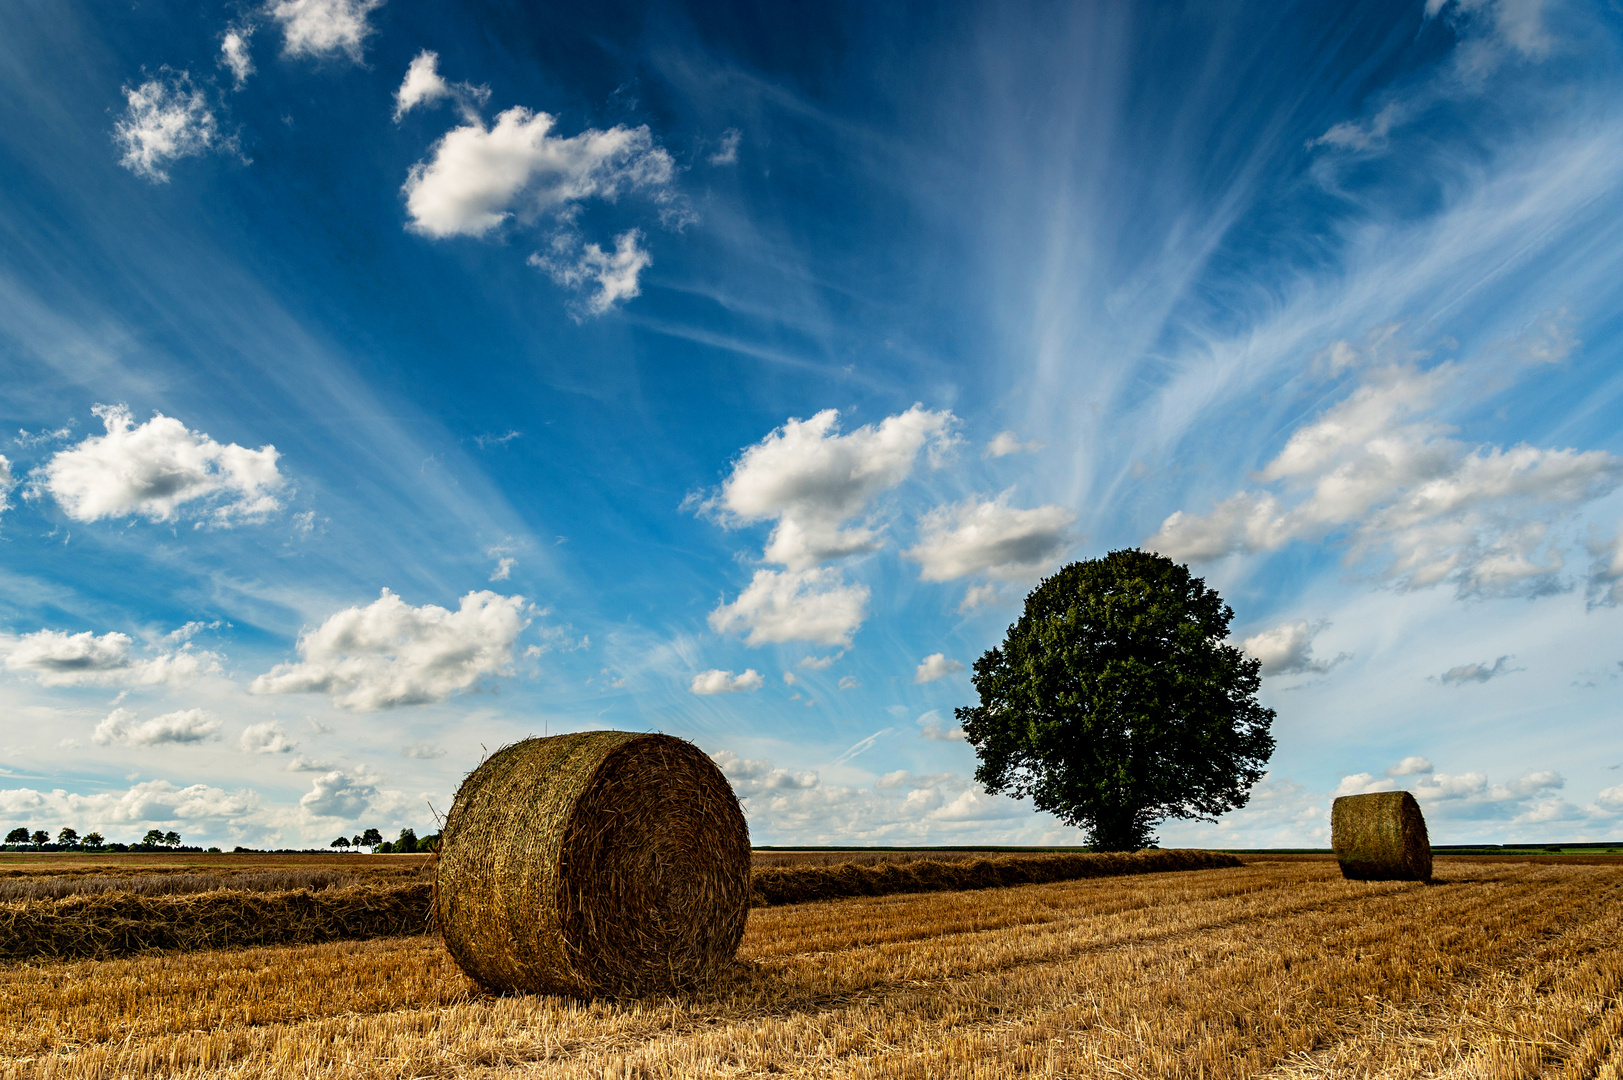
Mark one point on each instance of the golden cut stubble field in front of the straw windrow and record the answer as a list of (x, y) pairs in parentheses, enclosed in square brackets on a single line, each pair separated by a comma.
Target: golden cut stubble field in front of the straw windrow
[(1281, 969)]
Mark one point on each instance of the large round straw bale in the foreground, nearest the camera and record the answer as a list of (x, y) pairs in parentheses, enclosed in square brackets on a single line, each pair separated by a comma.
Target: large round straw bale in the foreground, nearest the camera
[(595, 863)]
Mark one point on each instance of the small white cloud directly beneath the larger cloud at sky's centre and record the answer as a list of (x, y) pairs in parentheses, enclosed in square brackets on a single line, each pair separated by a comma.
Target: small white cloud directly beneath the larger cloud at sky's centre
[(814, 605)]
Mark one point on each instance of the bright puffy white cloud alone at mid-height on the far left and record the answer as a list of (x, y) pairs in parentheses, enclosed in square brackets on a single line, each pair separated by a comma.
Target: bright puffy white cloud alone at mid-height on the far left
[(157, 469)]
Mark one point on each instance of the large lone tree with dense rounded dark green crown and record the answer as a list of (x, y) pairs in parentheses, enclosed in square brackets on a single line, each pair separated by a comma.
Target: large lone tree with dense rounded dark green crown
[(1116, 702)]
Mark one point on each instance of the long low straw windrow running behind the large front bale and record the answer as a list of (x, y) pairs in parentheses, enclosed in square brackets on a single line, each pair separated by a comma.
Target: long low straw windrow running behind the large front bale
[(116, 925)]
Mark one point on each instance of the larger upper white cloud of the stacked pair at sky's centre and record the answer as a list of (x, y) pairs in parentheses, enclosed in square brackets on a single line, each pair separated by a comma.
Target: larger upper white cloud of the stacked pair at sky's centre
[(812, 480)]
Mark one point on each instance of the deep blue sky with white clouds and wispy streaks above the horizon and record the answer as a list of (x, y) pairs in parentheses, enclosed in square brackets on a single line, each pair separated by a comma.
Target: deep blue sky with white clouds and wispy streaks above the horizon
[(390, 382)]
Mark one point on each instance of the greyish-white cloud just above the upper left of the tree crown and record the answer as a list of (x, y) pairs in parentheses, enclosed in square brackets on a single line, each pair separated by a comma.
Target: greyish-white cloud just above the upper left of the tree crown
[(989, 537)]
